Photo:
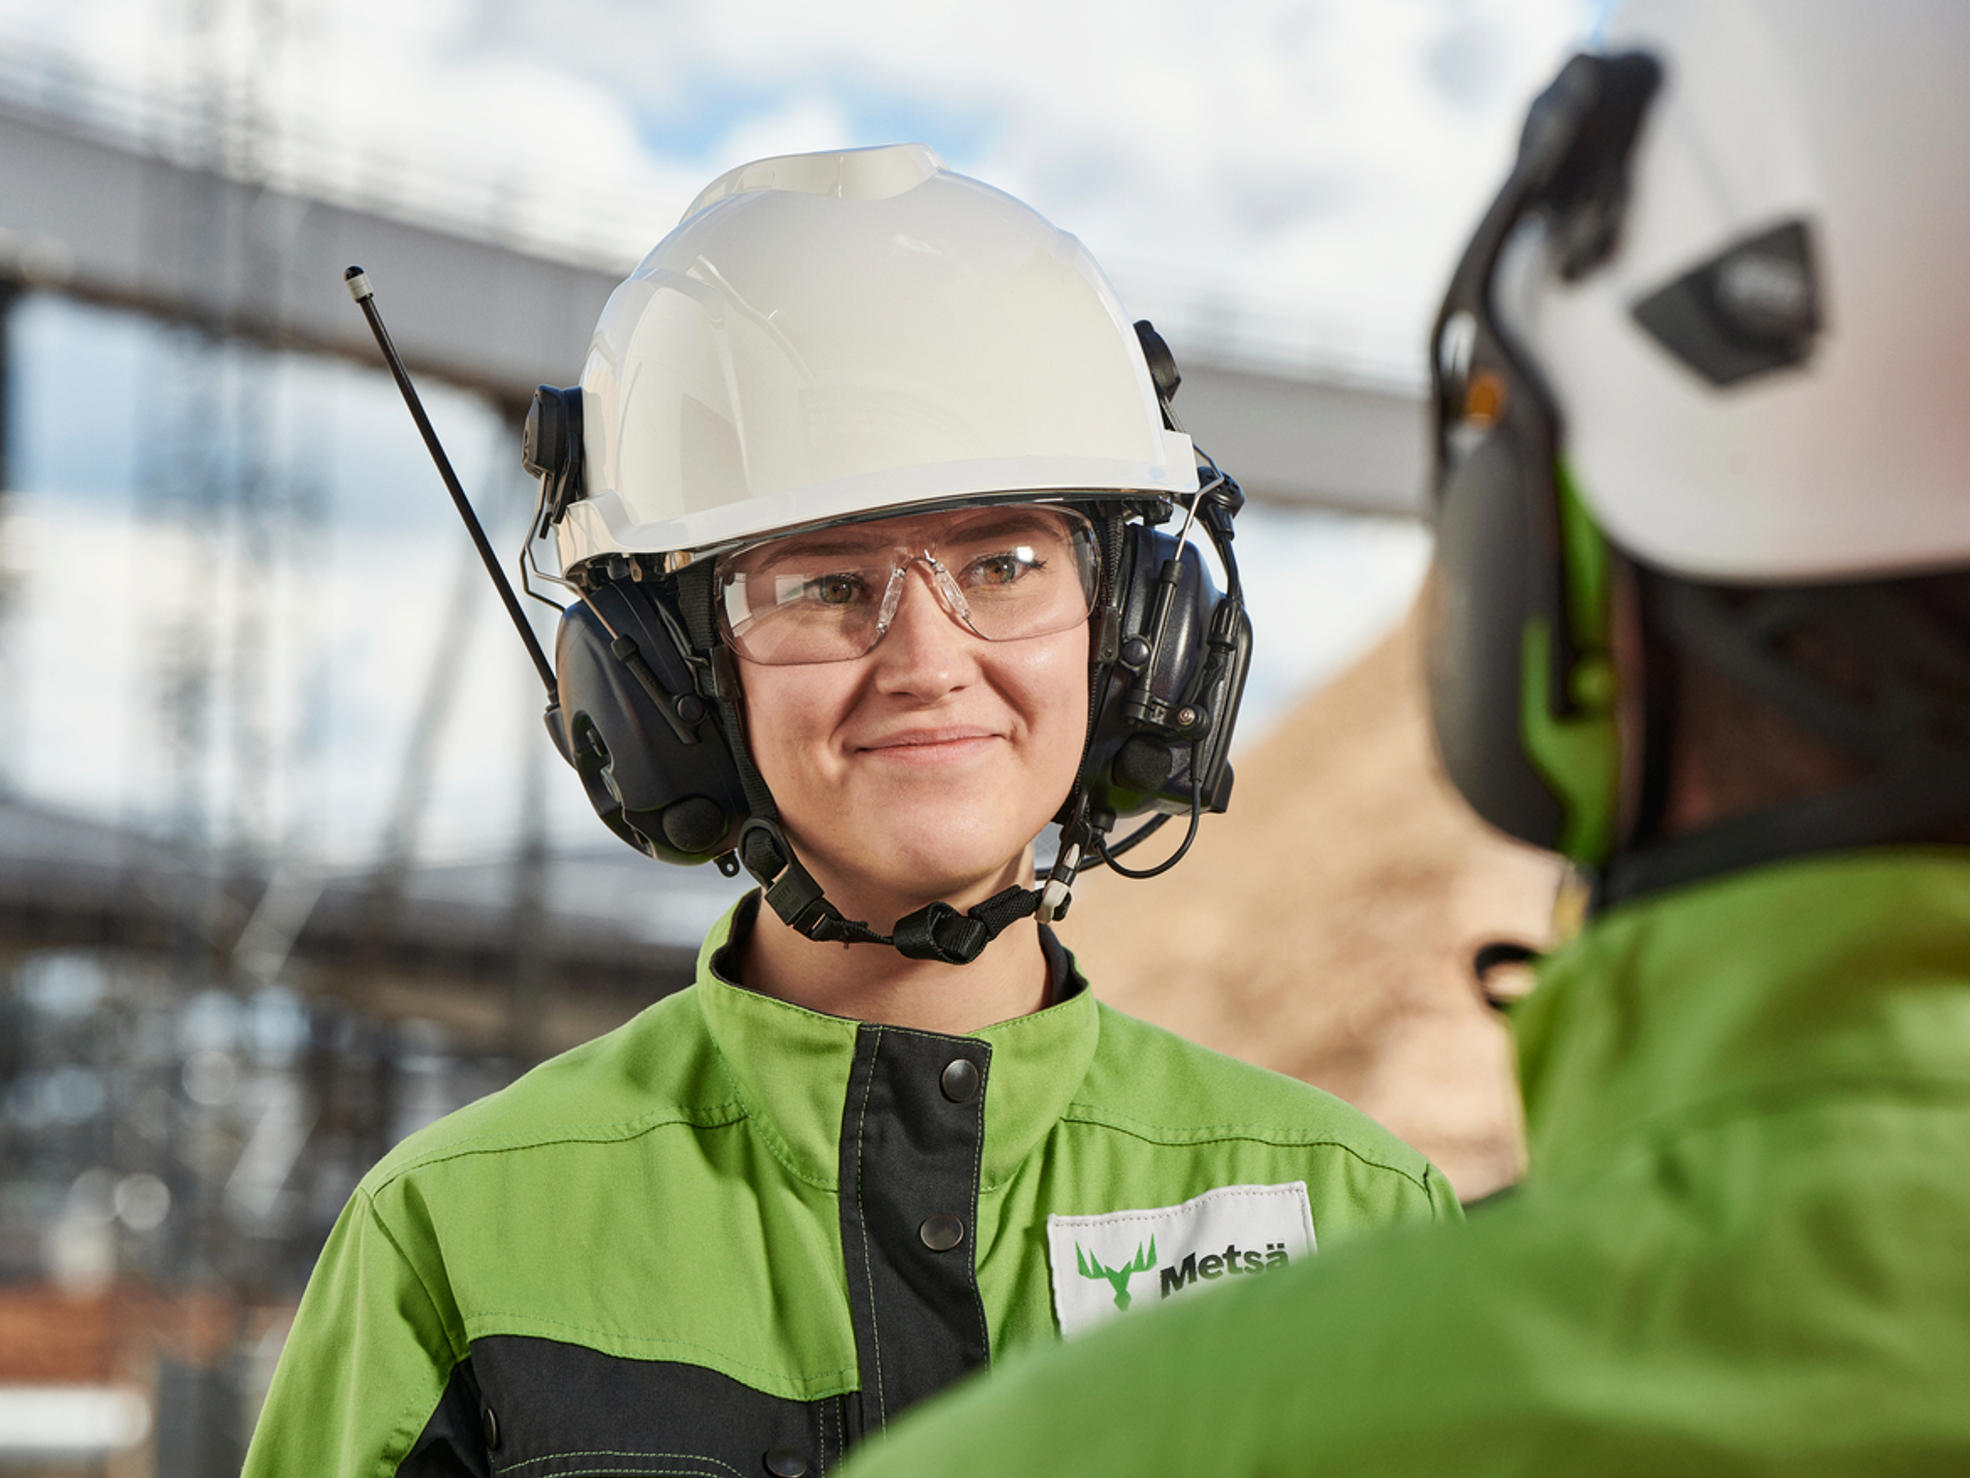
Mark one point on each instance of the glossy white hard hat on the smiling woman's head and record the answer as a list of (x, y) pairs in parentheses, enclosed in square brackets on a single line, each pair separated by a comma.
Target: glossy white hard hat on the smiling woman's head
[(828, 336)]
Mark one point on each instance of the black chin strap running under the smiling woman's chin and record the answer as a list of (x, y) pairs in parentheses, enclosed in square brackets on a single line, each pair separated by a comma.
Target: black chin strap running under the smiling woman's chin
[(931, 933)]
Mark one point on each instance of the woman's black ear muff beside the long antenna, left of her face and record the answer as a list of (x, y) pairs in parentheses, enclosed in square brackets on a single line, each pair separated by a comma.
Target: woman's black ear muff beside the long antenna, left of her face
[(633, 724)]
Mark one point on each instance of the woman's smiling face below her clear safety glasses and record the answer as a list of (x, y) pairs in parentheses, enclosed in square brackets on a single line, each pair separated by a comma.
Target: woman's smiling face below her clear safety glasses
[(925, 768)]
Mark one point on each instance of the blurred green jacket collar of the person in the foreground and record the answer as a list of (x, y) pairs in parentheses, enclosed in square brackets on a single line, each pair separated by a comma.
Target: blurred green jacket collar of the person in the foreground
[(1764, 984)]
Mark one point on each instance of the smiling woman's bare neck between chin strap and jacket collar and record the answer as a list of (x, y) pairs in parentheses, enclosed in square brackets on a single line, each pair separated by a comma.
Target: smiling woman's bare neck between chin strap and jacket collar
[(872, 982)]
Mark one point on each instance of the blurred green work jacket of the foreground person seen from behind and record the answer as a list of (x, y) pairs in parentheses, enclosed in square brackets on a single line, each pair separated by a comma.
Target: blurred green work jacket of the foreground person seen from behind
[(1744, 1246)]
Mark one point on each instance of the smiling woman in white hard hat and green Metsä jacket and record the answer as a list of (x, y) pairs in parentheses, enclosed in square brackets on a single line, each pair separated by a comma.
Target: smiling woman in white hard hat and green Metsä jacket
[(860, 498)]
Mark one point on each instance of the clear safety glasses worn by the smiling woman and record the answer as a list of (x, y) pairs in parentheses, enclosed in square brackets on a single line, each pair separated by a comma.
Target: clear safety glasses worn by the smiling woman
[(828, 596)]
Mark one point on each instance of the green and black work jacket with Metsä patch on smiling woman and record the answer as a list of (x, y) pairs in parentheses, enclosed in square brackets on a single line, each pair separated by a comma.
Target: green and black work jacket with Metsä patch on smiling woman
[(734, 1237)]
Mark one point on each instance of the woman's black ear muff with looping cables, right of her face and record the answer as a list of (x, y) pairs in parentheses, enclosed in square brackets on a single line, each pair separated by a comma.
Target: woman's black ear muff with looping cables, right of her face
[(1163, 730)]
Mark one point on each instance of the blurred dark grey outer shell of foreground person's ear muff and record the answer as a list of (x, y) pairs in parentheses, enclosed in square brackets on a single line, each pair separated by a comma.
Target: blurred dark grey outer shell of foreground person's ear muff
[(1492, 557)]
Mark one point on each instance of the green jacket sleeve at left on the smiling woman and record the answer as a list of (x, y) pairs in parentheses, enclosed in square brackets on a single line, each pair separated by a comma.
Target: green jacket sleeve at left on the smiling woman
[(365, 1363)]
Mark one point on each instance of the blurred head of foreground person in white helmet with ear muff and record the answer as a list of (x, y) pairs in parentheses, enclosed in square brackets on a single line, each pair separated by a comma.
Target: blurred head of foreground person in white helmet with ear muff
[(1658, 366)]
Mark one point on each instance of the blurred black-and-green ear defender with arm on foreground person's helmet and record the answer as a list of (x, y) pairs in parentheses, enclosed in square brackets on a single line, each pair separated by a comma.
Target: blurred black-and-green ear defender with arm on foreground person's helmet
[(1522, 596)]
